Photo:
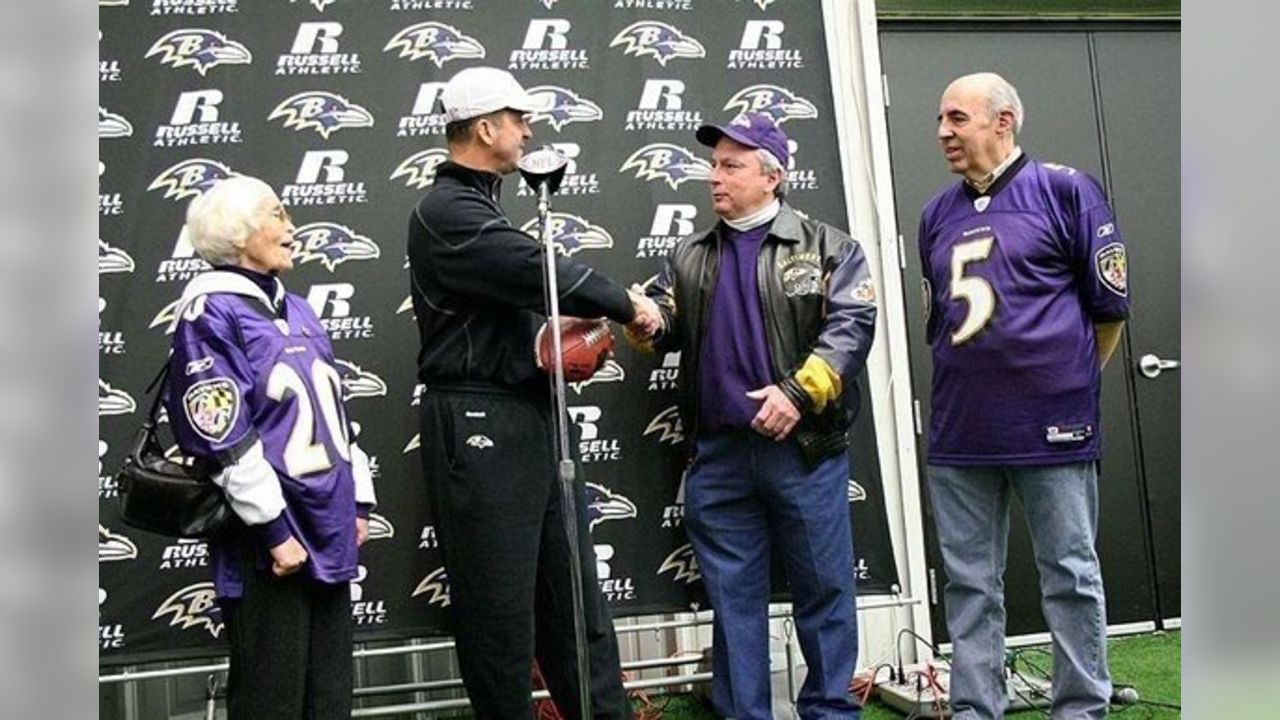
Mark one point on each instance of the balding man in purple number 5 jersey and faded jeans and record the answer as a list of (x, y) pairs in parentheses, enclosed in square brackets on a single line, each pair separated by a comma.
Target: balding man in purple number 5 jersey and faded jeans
[(1026, 293)]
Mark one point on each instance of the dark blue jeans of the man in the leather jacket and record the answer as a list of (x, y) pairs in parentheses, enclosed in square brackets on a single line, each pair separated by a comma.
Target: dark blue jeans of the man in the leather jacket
[(744, 493)]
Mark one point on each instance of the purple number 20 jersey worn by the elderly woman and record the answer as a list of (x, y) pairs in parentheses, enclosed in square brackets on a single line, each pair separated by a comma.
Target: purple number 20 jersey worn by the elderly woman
[(243, 373)]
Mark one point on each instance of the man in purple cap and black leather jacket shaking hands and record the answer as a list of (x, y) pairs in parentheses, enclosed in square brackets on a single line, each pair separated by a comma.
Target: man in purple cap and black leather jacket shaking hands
[(774, 316)]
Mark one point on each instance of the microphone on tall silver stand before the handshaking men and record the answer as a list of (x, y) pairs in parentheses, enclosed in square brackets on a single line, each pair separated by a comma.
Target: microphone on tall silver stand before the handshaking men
[(543, 171)]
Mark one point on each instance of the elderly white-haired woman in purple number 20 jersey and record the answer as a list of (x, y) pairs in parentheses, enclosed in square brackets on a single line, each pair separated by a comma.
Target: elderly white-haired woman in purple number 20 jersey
[(254, 386)]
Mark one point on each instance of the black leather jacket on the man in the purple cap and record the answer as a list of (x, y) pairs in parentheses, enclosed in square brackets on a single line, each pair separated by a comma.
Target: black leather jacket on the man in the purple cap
[(819, 298)]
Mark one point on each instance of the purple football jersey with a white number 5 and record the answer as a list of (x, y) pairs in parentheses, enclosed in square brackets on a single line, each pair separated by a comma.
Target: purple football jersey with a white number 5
[(1014, 282)]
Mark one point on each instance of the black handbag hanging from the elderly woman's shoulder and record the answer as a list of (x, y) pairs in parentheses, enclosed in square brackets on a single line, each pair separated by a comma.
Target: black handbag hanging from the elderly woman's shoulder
[(166, 498)]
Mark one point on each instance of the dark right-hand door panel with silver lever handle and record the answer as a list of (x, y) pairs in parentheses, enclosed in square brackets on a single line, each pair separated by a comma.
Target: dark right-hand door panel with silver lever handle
[(1140, 92)]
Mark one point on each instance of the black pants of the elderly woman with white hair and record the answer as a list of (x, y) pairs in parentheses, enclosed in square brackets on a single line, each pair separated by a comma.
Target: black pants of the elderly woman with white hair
[(291, 650)]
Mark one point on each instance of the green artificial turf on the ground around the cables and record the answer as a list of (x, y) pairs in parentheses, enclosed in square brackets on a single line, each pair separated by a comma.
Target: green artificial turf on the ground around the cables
[(1153, 664)]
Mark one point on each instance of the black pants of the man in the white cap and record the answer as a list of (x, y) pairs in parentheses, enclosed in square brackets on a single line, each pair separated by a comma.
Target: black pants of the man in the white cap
[(495, 496)]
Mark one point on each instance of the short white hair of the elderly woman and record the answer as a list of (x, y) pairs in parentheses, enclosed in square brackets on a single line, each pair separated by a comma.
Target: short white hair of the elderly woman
[(221, 221)]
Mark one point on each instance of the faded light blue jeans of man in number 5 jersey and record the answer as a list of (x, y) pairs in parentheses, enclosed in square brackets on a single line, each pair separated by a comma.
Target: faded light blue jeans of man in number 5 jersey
[(971, 507)]
